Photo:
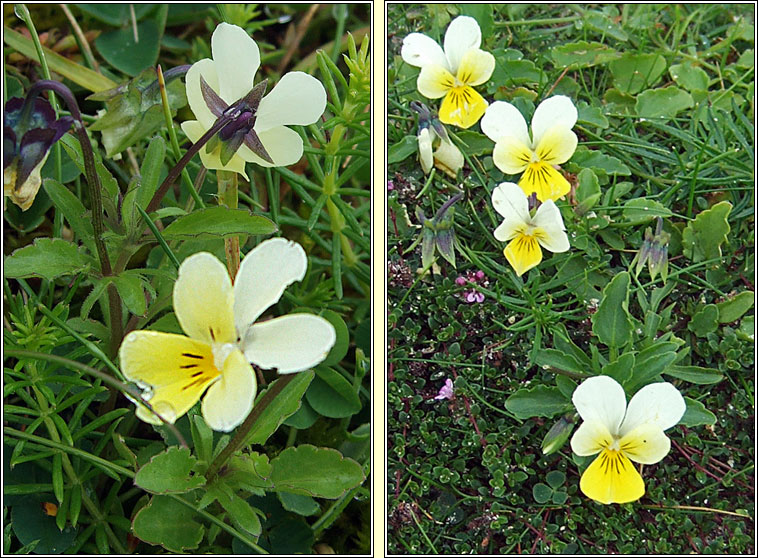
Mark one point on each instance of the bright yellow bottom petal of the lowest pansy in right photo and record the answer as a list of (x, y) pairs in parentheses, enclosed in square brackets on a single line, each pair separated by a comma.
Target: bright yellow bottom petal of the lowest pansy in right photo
[(612, 478)]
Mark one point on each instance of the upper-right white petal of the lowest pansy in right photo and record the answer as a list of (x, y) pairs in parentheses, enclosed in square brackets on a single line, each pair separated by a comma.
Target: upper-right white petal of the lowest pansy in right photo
[(660, 404)]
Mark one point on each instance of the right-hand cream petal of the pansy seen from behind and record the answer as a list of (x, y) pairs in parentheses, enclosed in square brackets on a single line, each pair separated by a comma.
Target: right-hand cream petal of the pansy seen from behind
[(298, 98)]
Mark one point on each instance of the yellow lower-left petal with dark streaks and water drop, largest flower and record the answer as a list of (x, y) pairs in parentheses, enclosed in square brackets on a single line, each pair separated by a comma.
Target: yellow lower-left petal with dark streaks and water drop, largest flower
[(175, 371)]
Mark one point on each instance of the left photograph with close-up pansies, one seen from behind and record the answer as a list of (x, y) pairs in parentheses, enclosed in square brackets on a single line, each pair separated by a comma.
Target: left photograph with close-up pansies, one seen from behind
[(187, 279)]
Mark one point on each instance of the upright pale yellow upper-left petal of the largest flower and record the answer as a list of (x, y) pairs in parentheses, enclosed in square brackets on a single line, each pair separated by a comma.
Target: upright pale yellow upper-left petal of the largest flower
[(204, 301)]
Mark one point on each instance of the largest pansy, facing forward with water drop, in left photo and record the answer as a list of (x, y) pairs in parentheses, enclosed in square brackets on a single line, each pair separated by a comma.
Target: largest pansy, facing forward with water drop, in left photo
[(223, 338)]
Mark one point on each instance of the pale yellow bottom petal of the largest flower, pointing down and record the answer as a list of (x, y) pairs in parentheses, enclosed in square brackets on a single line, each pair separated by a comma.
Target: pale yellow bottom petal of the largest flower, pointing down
[(230, 399)]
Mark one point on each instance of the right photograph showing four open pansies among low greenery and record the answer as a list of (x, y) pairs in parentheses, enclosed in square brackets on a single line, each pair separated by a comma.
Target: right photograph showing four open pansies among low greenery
[(570, 278)]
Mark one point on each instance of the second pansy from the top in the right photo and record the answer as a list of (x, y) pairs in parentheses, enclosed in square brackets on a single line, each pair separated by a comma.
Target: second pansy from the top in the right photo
[(551, 143)]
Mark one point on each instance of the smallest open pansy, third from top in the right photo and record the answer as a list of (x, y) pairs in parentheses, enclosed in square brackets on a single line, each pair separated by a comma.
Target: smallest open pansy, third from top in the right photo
[(524, 232)]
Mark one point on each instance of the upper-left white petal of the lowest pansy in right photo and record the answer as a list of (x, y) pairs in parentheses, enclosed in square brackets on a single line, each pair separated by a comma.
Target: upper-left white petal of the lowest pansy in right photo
[(601, 399)]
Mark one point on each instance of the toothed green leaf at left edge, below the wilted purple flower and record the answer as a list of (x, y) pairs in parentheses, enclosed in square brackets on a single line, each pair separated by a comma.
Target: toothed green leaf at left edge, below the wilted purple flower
[(47, 258)]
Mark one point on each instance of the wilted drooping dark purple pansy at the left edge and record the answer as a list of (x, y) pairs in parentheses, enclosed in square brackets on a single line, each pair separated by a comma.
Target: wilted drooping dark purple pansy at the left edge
[(29, 131)]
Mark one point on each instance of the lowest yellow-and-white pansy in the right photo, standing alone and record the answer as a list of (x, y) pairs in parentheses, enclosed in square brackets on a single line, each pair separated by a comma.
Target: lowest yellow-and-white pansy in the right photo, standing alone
[(622, 434)]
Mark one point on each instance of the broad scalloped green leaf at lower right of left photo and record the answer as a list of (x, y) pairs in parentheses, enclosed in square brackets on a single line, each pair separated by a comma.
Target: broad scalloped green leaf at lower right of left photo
[(317, 472)]
